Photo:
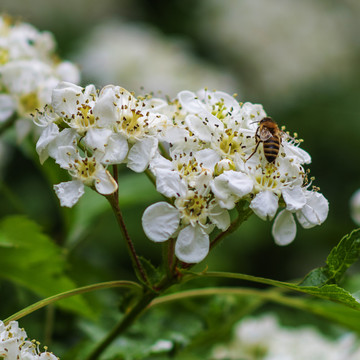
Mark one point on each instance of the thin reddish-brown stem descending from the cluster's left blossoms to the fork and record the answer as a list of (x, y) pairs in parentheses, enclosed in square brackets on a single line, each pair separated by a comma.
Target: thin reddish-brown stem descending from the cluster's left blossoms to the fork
[(113, 200)]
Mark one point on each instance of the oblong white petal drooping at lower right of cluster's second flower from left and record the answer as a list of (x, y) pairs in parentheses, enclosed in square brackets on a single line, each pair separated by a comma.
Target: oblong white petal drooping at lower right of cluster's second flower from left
[(141, 153)]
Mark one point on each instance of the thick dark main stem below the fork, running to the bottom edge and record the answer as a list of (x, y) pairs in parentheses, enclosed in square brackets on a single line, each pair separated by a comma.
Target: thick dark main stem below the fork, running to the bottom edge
[(124, 324)]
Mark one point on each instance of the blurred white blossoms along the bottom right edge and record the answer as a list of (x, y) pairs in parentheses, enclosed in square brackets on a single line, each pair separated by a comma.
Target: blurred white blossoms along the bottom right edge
[(263, 338)]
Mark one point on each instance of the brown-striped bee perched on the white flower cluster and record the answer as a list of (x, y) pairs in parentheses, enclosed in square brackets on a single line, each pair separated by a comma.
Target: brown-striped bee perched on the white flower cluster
[(270, 135)]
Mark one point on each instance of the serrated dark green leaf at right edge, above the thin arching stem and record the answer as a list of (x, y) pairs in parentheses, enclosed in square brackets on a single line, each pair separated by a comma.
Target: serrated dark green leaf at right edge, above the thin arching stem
[(341, 257)]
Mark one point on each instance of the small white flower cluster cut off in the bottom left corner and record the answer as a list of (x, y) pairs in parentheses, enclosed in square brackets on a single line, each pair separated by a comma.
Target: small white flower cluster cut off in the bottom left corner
[(13, 344)]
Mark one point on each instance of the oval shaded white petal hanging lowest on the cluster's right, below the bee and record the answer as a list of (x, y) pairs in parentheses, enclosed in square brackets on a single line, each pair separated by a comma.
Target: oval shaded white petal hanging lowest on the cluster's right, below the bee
[(284, 228)]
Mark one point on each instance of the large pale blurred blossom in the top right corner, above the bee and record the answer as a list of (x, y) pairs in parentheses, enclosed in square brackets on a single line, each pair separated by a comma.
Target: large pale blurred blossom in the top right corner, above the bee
[(282, 47)]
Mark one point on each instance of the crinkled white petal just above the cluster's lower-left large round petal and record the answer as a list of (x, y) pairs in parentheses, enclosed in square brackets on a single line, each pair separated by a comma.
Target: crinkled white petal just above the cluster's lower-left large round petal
[(170, 184)]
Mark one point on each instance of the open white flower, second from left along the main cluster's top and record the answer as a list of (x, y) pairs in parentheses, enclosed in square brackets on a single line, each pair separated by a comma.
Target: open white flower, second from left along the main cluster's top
[(133, 126)]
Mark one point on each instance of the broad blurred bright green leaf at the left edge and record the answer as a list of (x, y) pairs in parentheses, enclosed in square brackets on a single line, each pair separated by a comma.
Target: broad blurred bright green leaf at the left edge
[(31, 259)]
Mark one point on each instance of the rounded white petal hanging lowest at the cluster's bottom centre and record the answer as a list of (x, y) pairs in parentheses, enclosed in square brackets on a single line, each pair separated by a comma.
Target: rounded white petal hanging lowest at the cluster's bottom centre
[(192, 244)]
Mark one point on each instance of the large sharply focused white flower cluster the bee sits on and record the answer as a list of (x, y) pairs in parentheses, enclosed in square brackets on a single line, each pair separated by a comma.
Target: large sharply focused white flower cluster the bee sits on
[(211, 157)]
